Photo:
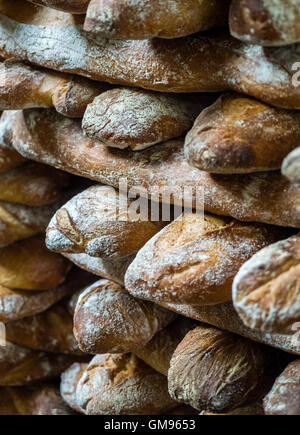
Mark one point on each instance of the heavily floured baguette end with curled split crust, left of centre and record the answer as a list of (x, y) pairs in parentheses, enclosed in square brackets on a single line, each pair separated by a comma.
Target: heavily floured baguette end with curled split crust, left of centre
[(98, 222)]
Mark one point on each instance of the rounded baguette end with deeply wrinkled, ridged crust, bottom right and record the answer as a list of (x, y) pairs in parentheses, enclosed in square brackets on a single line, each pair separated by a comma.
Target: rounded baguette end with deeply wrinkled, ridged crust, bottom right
[(219, 371)]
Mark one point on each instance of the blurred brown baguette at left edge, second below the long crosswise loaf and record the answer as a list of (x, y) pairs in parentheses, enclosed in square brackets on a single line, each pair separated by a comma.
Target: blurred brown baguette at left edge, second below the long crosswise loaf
[(32, 184)]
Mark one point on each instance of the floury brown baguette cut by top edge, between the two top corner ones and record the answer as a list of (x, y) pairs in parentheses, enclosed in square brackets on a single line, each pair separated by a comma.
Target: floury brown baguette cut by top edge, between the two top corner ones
[(119, 19)]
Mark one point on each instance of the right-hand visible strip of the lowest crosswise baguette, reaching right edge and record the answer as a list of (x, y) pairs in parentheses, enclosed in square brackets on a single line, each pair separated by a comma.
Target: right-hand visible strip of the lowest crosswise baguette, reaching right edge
[(225, 317)]
